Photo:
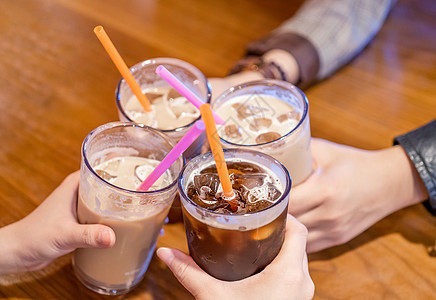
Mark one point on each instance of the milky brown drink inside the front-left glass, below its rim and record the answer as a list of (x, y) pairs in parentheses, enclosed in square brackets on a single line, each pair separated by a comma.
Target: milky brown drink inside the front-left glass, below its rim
[(136, 226)]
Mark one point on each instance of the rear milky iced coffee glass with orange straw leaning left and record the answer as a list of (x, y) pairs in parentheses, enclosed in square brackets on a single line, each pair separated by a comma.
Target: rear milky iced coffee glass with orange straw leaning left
[(171, 119)]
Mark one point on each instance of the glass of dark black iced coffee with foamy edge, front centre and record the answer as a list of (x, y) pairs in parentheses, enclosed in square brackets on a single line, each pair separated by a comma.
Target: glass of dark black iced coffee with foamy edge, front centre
[(228, 242)]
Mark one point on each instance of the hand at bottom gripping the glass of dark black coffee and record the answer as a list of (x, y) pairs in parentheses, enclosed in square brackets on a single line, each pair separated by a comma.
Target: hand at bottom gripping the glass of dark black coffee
[(287, 277)]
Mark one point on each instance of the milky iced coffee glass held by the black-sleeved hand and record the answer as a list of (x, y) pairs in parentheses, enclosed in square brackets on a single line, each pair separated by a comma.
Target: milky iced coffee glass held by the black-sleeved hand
[(269, 116)]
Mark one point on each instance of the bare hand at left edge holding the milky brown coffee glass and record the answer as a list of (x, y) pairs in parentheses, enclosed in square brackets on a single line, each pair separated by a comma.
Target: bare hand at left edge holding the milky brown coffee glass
[(50, 231)]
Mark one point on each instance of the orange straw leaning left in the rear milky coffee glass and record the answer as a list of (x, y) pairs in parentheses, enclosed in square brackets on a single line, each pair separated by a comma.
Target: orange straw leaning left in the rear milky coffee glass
[(121, 66)]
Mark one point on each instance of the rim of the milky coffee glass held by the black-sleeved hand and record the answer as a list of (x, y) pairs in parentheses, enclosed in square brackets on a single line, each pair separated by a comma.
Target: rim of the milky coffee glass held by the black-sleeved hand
[(267, 82)]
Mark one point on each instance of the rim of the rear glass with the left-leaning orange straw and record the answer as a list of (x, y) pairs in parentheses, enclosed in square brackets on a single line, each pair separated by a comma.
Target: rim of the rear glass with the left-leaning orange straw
[(164, 60)]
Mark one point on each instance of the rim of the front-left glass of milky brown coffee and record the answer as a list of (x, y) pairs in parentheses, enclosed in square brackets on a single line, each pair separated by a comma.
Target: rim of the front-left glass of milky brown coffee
[(118, 124)]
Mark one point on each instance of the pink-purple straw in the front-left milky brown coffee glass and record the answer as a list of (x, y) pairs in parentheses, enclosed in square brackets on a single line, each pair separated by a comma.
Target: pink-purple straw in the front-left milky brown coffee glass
[(171, 157)]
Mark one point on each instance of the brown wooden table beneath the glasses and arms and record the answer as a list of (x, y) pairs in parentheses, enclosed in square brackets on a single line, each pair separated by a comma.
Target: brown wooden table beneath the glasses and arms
[(57, 84)]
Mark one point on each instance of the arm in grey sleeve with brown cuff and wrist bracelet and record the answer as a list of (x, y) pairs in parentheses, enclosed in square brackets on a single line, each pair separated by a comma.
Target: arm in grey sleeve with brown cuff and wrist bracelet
[(320, 38)]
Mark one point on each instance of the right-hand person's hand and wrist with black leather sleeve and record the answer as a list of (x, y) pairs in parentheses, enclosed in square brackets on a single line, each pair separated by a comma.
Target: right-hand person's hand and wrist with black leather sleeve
[(351, 189)]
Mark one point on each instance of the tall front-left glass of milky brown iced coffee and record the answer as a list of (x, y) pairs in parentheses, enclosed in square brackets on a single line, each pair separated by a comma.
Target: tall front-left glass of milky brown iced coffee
[(116, 158)]
